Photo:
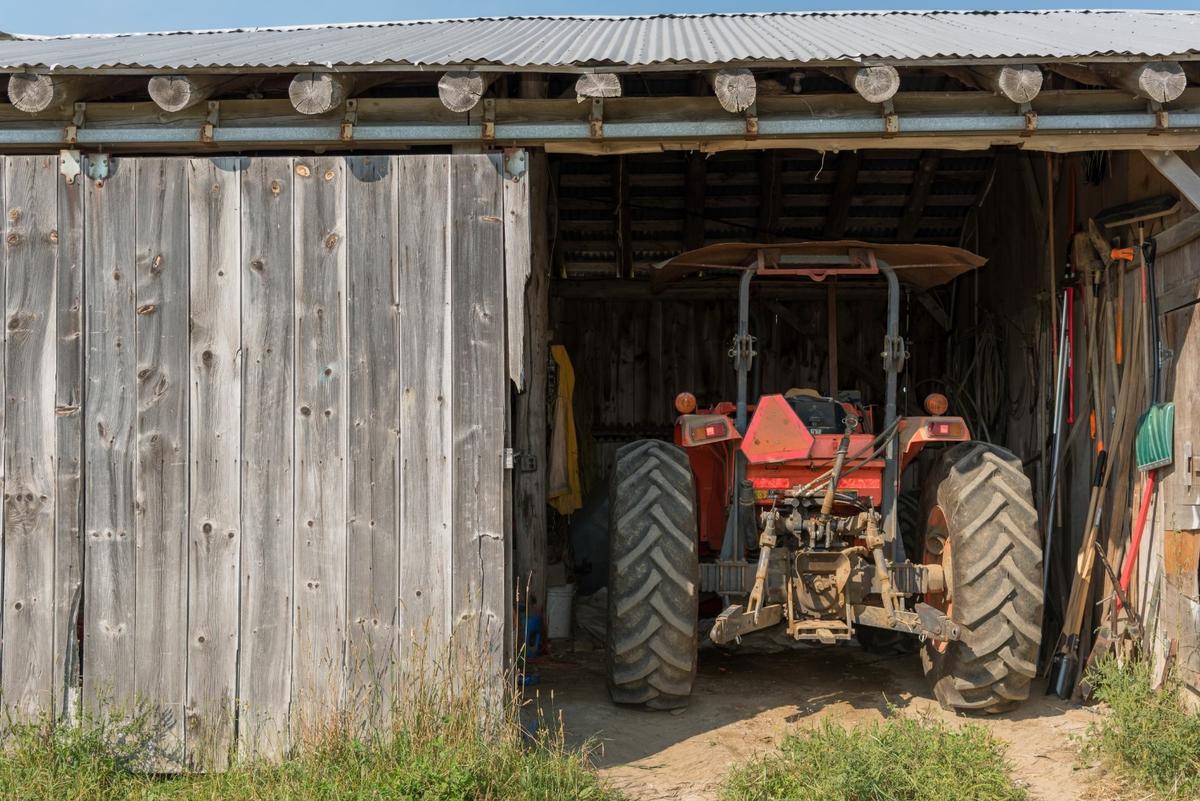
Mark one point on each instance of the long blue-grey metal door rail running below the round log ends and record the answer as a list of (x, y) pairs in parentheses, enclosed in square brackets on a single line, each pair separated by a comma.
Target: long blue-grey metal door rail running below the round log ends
[(532, 134)]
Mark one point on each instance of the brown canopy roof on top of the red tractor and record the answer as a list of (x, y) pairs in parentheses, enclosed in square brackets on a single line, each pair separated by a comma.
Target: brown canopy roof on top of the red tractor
[(923, 267)]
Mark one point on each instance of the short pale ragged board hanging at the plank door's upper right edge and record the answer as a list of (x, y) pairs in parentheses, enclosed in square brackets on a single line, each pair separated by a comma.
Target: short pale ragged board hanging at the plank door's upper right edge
[(518, 269)]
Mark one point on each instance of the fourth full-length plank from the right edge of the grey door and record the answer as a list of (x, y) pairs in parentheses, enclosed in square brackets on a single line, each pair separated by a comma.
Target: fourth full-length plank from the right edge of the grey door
[(319, 640)]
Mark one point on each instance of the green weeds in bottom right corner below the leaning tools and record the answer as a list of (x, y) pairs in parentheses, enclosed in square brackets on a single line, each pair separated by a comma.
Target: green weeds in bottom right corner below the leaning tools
[(1145, 739)]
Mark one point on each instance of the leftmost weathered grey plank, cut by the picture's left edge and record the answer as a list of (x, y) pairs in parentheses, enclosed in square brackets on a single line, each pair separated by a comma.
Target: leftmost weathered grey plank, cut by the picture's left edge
[(31, 203)]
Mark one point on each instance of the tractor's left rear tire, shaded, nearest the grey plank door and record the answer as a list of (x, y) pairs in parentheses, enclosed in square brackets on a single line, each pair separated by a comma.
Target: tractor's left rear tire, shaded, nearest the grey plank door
[(653, 577)]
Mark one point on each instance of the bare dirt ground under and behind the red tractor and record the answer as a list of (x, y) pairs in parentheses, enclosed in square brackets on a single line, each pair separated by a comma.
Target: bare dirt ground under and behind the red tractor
[(745, 703)]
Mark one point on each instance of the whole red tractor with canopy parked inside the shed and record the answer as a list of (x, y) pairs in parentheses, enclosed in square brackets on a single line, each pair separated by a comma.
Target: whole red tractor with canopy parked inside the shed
[(788, 510)]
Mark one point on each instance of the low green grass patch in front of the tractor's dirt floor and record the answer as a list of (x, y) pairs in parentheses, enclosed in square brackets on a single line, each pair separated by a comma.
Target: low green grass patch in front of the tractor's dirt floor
[(898, 760)]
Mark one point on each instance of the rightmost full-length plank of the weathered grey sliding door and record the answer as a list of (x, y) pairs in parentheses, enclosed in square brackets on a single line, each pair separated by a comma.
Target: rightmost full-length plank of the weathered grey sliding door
[(479, 606)]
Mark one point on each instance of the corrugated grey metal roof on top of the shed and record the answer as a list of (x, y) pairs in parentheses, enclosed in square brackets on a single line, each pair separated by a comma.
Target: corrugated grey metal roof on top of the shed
[(565, 43)]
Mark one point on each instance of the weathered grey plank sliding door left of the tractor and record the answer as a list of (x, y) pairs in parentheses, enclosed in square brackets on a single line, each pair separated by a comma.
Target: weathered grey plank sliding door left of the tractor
[(253, 435)]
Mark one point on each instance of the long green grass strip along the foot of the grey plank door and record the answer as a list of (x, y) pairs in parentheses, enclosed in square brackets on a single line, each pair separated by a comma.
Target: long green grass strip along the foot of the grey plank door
[(434, 752)]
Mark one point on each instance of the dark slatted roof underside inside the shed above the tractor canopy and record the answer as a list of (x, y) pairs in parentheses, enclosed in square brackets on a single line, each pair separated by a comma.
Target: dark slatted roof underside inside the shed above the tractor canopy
[(620, 215)]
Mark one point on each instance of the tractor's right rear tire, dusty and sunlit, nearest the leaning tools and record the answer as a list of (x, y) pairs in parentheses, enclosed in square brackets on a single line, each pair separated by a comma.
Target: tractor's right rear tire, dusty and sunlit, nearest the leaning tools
[(981, 526)]
